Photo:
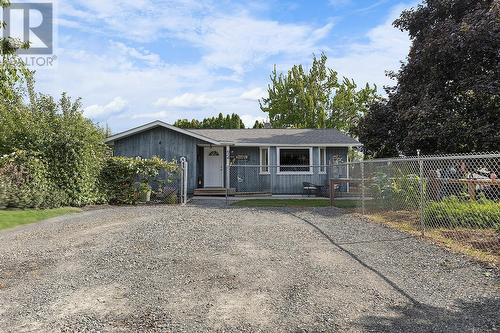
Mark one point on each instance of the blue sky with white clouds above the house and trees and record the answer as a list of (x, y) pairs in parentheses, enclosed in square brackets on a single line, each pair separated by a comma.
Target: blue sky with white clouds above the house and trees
[(136, 61)]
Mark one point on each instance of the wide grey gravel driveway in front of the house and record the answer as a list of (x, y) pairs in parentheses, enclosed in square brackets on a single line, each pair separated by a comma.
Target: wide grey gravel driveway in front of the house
[(202, 268)]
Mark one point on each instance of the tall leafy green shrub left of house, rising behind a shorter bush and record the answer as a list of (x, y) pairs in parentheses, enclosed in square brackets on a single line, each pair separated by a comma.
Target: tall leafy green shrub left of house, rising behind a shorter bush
[(71, 145)]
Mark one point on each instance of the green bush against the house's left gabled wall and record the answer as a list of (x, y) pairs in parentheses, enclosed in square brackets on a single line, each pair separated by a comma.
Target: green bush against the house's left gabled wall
[(124, 179)]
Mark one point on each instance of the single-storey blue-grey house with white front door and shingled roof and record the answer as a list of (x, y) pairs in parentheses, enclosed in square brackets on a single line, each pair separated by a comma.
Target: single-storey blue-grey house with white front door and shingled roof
[(277, 161)]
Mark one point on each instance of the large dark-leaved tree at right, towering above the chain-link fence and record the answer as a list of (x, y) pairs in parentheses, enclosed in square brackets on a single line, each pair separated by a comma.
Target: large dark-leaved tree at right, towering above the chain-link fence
[(447, 97)]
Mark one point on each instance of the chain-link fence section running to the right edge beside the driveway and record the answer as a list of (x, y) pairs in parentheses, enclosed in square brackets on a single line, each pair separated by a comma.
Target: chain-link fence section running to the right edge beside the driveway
[(454, 198)]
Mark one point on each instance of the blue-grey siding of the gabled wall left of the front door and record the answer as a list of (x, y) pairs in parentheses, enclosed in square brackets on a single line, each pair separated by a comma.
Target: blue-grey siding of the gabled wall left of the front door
[(163, 143)]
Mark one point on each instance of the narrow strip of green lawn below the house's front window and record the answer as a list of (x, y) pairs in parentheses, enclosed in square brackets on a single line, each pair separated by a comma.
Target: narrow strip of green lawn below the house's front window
[(294, 203)]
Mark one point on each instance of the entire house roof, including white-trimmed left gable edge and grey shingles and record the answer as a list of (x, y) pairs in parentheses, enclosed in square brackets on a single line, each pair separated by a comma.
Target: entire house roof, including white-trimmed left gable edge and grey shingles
[(253, 137)]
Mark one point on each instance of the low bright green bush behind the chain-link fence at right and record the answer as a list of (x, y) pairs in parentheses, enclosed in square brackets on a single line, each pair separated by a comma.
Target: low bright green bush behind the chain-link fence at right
[(453, 212)]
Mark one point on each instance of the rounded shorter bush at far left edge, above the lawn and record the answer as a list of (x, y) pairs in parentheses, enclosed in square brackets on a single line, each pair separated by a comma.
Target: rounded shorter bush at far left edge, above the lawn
[(24, 182)]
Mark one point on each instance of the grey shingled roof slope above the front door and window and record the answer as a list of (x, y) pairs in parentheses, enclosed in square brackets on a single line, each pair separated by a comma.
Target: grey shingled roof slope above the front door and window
[(268, 136)]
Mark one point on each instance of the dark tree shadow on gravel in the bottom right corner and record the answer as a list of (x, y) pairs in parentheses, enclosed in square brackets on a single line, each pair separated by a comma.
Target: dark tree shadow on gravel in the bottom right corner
[(467, 317)]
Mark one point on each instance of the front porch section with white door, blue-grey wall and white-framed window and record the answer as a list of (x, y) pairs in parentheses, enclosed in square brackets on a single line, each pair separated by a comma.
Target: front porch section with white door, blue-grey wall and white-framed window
[(264, 171)]
